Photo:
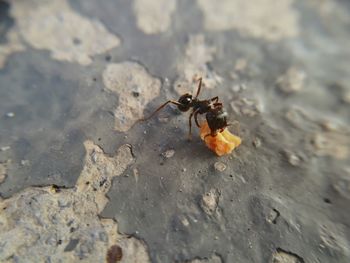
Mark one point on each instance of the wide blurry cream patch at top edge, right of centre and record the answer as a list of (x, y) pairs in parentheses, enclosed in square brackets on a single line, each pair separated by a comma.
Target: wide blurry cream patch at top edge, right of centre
[(265, 19)]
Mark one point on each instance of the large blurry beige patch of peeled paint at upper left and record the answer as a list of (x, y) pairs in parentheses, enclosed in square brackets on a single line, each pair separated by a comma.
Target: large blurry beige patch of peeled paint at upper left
[(54, 26)]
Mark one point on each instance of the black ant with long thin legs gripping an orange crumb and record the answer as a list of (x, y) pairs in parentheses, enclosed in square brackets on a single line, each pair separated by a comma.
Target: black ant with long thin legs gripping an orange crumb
[(215, 113)]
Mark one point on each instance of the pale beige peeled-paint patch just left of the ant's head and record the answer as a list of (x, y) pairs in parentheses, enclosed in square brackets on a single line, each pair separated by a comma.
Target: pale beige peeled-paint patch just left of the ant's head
[(135, 88)]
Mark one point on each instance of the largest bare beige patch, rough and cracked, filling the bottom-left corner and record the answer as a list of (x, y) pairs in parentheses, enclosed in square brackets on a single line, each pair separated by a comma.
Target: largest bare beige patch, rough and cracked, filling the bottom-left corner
[(52, 224)]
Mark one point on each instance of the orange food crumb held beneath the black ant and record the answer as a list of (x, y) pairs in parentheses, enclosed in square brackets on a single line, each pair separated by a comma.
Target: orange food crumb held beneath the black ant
[(223, 143)]
